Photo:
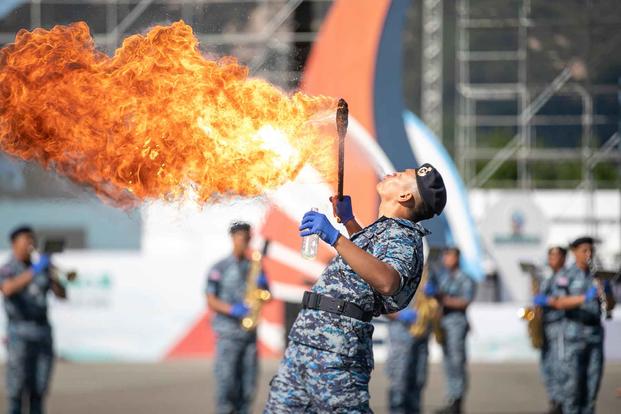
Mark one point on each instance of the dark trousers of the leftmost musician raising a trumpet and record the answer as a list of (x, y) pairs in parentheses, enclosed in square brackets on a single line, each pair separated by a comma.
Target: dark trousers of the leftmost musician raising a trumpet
[(28, 371)]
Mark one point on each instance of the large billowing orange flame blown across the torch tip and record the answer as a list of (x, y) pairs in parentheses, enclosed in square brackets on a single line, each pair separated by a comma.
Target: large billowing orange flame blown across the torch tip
[(157, 120)]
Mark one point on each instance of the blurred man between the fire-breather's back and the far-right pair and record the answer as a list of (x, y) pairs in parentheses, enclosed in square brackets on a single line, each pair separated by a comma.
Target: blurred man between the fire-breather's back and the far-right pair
[(455, 290)]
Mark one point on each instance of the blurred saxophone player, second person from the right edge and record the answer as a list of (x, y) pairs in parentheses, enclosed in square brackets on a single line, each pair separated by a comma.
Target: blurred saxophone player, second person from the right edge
[(554, 284)]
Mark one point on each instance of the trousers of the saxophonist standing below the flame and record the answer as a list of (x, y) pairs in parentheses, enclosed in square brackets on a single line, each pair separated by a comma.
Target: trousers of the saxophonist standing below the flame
[(236, 368)]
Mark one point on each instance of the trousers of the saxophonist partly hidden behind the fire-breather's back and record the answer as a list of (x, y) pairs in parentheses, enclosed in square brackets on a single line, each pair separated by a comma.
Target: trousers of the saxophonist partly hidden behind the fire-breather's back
[(406, 367)]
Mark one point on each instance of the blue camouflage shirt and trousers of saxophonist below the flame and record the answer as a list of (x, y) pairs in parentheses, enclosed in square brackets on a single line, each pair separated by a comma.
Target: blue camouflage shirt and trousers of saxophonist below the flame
[(236, 362)]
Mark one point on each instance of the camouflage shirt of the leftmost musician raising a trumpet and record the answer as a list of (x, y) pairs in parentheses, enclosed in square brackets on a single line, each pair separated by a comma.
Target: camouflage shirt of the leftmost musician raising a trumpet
[(26, 310)]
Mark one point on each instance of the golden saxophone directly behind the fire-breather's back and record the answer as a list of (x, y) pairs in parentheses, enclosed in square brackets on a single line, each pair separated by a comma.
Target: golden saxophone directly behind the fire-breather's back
[(428, 311)]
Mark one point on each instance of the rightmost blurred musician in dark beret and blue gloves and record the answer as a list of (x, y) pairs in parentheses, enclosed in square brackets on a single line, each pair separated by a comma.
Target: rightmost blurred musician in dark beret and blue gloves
[(583, 333)]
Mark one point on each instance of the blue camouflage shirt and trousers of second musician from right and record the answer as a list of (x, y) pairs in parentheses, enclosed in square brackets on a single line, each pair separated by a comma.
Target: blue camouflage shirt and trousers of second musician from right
[(555, 285)]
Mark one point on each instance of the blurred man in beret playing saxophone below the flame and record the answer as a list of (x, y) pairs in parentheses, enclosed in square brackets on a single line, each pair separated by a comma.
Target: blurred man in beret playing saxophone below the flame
[(236, 361)]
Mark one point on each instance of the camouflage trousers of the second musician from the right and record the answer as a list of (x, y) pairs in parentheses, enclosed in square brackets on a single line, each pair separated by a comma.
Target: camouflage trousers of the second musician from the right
[(551, 364)]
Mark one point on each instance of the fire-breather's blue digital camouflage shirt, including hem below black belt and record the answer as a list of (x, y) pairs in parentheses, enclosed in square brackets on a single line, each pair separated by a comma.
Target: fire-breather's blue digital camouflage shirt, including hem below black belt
[(397, 242)]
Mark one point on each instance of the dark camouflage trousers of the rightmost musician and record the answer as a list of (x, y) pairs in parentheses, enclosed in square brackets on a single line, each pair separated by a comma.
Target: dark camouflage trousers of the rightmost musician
[(584, 365)]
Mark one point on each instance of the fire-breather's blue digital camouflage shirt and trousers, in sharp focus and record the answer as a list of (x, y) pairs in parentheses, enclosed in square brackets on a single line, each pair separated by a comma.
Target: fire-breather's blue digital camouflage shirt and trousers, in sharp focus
[(328, 363)]
